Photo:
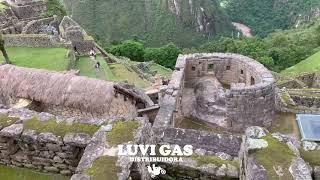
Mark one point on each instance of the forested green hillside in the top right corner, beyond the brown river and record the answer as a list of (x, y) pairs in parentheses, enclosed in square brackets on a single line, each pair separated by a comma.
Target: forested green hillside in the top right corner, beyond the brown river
[(264, 16)]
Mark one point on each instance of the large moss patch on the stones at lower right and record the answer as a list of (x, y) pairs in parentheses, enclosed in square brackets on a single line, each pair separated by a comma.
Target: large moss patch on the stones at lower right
[(276, 155)]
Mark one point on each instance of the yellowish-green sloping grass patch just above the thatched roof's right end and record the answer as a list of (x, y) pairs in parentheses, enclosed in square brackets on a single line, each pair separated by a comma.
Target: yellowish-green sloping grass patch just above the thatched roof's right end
[(121, 73)]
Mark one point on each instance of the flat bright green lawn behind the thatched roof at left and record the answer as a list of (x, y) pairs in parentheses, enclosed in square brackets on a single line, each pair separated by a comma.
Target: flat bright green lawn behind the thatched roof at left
[(42, 58)]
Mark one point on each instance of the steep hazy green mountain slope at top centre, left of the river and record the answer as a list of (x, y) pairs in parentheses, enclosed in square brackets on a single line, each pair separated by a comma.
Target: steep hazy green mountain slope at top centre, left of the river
[(184, 22)]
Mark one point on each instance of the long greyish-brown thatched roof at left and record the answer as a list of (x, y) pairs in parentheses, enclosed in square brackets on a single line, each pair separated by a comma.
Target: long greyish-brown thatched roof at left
[(60, 89)]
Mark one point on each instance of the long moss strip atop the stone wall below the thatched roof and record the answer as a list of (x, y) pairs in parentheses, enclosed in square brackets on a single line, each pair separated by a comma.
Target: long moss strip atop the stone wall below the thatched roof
[(59, 129)]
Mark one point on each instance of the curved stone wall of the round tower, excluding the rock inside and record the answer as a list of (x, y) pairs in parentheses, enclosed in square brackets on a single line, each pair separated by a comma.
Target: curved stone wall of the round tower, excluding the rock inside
[(250, 99)]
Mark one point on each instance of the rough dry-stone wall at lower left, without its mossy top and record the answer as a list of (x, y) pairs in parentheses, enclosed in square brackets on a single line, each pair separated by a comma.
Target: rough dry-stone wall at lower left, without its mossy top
[(45, 152)]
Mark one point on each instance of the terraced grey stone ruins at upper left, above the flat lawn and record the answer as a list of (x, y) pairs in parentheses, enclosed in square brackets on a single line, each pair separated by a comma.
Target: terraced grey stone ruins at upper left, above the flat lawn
[(23, 24)]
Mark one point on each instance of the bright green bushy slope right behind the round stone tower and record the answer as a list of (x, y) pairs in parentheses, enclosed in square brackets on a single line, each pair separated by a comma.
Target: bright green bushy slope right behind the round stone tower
[(277, 51)]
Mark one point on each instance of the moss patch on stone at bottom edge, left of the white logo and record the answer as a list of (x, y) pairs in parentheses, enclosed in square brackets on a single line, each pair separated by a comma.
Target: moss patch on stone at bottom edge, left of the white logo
[(103, 168)]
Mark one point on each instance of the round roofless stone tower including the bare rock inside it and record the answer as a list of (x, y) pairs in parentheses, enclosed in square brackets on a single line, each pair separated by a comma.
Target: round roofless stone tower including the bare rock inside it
[(226, 90)]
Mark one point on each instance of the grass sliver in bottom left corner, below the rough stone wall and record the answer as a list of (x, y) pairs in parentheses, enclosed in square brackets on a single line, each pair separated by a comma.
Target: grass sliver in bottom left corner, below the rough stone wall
[(14, 173)]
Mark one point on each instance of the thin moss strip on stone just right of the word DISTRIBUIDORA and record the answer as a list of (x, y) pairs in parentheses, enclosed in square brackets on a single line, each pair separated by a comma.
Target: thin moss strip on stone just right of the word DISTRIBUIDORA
[(203, 160)]
